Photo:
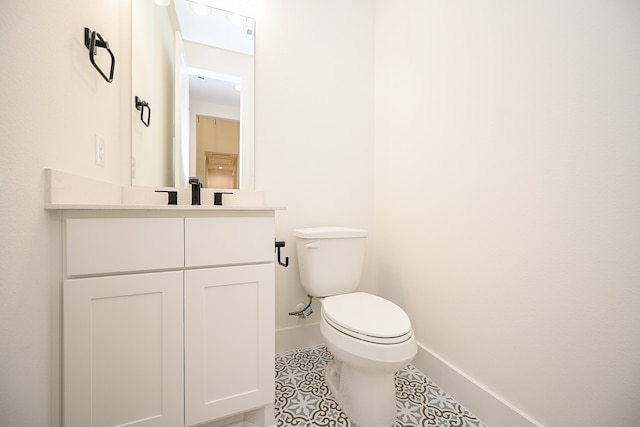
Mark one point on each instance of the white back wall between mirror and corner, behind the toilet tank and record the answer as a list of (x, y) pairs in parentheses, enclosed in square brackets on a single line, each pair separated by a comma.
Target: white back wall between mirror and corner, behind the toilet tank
[(314, 123)]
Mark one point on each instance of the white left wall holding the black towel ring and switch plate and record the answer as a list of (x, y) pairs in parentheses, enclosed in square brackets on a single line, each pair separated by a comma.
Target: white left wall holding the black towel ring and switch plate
[(53, 102)]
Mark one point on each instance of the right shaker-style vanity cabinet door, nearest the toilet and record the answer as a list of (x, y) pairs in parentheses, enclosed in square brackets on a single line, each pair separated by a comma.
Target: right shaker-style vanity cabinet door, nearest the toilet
[(229, 341)]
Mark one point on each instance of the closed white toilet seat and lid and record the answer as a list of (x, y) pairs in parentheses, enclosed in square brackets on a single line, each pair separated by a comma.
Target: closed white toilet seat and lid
[(367, 317)]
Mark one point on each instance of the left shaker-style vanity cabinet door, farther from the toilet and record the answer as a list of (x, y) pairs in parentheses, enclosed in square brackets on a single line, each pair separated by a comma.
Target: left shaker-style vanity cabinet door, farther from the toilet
[(123, 351)]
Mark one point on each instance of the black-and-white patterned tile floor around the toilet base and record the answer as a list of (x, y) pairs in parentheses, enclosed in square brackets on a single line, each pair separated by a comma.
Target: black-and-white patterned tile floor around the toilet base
[(303, 399)]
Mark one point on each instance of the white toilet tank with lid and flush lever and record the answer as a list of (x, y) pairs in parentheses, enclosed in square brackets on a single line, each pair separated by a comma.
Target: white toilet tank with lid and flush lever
[(330, 259)]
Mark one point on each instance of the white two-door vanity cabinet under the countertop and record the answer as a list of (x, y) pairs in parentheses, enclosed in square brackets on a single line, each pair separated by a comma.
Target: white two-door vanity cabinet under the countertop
[(167, 317)]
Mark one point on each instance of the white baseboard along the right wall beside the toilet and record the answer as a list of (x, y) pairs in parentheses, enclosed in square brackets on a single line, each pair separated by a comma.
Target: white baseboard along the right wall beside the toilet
[(493, 410)]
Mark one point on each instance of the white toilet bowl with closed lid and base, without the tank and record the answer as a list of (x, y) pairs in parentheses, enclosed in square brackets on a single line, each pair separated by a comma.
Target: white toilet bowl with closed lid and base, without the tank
[(370, 339)]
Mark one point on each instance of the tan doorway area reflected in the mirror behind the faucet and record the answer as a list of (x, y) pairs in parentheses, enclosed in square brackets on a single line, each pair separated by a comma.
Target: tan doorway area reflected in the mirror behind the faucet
[(217, 149)]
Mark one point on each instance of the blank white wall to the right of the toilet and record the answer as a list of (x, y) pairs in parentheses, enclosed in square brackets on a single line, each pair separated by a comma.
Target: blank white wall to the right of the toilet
[(507, 201)]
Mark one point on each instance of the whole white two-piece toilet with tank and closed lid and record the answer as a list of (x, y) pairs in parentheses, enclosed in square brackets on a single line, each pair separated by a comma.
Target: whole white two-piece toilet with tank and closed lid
[(370, 337)]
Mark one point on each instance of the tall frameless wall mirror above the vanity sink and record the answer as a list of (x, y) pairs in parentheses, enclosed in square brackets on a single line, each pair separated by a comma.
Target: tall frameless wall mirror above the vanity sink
[(193, 65)]
